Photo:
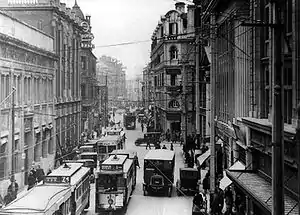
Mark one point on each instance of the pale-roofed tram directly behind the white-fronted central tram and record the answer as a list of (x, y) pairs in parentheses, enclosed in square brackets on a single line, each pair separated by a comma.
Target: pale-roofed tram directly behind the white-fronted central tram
[(107, 144)]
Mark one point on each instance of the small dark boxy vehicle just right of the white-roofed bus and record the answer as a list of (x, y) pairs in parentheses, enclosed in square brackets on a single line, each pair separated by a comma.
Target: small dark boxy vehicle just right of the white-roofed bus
[(188, 181)]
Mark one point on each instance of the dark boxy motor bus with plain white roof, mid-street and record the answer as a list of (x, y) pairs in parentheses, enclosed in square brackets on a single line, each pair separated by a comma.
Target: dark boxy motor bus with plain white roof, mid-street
[(159, 172)]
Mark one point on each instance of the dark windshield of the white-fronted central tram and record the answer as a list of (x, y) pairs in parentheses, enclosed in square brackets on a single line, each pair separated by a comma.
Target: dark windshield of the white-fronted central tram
[(111, 182)]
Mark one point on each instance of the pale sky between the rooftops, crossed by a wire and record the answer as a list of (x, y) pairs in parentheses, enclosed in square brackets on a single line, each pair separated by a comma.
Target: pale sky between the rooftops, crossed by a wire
[(121, 21)]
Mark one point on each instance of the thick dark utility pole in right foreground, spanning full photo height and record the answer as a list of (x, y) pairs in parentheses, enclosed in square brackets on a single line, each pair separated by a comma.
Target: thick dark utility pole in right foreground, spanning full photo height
[(277, 119)]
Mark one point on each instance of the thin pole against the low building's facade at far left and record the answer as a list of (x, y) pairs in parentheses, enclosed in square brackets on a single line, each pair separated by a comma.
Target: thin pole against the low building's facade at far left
[(13, 136)]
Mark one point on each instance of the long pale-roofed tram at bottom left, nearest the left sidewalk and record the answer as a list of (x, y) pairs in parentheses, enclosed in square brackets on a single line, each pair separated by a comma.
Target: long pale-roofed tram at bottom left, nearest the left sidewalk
[(65, 191)]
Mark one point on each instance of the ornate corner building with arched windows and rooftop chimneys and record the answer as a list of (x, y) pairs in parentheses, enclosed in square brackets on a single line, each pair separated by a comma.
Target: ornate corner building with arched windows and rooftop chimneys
[(173, 72)]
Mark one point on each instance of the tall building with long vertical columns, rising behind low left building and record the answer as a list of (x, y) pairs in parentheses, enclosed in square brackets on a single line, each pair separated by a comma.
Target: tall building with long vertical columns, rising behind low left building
[(64, 25)]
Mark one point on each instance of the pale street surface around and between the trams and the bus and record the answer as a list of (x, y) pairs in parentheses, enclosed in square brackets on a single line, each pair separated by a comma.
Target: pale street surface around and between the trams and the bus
[(150, 205)]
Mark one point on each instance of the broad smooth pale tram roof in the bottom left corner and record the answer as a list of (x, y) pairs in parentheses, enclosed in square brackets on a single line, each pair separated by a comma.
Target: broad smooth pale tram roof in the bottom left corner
[(38, 199)]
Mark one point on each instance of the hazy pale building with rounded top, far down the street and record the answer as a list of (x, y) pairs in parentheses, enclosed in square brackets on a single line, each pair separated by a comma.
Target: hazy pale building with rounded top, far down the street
[(112, 72)]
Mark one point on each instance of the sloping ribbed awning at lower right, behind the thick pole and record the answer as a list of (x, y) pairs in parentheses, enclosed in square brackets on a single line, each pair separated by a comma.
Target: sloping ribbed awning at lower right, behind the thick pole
[(261, 190)]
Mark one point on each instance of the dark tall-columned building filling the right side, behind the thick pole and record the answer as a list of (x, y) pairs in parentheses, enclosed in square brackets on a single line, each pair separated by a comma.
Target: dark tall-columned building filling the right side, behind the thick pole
[(242, 69)]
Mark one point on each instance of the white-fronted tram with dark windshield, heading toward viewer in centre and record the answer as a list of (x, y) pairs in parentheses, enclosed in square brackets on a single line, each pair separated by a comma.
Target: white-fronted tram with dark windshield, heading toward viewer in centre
[(115, 183)]
